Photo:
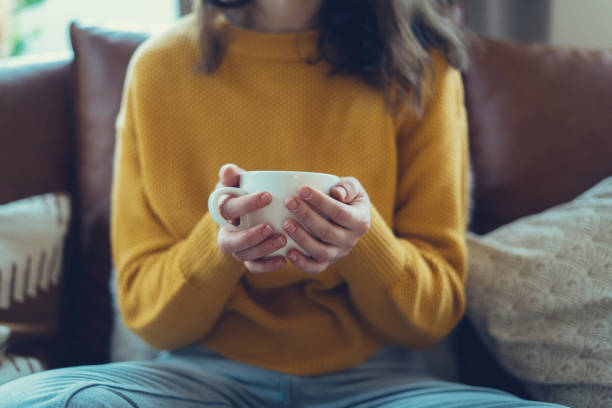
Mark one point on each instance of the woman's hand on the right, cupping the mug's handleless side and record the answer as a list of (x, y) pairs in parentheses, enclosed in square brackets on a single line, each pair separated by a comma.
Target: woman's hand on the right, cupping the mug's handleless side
[(348, 210)]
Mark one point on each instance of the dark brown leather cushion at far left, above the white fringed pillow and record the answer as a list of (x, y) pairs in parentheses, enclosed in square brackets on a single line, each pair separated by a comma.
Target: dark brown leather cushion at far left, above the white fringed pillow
[(35, 138)]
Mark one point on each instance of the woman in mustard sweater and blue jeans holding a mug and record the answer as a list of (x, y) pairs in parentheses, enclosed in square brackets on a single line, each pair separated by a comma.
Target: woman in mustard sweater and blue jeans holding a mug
[(366, 89)]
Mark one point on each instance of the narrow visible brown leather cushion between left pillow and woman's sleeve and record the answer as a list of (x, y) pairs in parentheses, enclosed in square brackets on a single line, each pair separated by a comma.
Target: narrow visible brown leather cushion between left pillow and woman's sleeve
[(101, 59)]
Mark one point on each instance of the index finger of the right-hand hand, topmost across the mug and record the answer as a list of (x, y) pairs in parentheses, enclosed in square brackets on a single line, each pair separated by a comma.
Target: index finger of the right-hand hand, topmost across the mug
[(342, 214)]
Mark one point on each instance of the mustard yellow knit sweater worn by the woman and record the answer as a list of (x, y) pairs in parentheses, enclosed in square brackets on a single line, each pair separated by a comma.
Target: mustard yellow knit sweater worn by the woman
[(267, 109)]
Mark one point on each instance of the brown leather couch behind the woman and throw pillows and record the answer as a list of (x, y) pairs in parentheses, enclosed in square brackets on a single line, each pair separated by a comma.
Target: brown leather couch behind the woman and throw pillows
[(540, 130)]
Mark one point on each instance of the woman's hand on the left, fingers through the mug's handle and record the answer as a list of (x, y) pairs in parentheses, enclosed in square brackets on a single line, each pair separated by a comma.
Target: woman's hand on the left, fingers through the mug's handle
[(250, 245)]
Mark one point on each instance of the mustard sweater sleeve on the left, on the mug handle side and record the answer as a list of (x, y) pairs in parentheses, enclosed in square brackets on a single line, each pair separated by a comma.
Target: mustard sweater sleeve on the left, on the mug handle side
[(171, 289)]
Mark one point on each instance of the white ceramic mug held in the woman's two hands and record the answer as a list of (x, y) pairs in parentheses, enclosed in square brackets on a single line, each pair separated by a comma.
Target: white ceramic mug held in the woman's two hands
[(280, 184)]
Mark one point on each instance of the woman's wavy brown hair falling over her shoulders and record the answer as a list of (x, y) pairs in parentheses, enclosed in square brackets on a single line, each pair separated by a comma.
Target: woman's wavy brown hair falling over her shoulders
[(387, 43)]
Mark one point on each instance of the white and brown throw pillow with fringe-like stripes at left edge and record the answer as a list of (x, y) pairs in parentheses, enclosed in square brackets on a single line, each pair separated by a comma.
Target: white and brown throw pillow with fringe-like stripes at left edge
[(32, 233)]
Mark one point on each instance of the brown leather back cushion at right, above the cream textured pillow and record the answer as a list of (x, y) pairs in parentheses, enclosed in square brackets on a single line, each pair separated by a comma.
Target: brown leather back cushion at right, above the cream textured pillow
[(540, 127)]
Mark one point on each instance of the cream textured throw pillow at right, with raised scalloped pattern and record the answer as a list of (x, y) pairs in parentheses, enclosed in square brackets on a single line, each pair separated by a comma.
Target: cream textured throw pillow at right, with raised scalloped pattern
[(540, 295)]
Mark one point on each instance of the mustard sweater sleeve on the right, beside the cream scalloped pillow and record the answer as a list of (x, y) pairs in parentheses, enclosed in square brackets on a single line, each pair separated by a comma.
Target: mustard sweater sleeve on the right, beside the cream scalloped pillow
[(407, 281)]
